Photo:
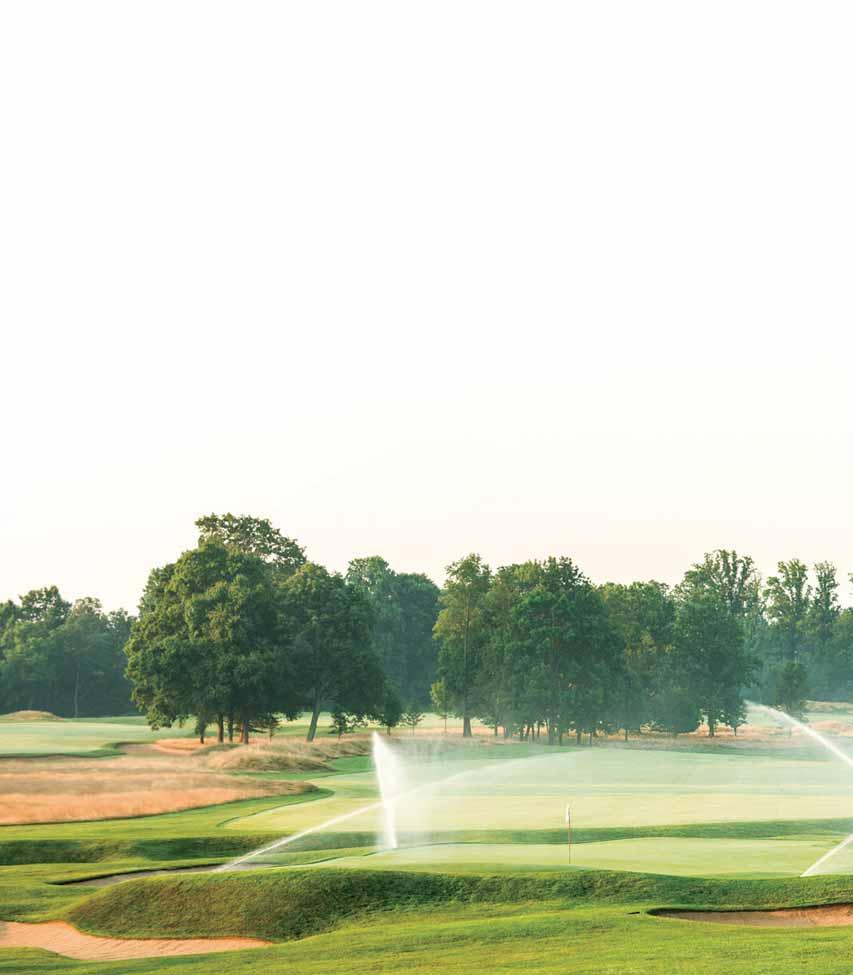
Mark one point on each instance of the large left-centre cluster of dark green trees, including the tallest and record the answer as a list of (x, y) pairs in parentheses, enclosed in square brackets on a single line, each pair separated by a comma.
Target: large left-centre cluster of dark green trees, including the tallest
[(242, 629)]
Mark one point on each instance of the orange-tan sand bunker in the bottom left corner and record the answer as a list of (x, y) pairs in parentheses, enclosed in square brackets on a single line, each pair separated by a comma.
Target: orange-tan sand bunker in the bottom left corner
[(63, 939)]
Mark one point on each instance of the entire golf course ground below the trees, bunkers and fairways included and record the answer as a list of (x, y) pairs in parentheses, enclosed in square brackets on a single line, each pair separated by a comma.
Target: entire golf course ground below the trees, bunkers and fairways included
[(482, 875)]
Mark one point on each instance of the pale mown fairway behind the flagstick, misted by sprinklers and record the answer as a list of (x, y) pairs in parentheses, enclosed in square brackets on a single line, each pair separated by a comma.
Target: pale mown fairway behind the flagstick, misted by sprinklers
[(605, 787)]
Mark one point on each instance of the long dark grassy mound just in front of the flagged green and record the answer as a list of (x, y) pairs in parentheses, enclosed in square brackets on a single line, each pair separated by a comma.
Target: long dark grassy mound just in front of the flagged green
[(294, 903)]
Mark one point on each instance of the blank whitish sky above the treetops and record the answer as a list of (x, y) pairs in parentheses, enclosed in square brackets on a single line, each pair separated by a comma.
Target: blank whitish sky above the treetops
[(420, 279)]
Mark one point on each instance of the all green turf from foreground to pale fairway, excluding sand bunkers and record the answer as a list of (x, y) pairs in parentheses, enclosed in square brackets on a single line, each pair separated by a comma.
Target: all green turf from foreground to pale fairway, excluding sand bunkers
[(493, 892)]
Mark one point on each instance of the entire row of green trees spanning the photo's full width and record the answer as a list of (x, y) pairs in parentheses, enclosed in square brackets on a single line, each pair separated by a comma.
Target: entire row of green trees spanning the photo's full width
[(242, 629)]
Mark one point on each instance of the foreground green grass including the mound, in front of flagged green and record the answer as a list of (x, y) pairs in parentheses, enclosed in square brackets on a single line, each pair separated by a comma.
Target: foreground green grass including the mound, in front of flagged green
[(577, 923)]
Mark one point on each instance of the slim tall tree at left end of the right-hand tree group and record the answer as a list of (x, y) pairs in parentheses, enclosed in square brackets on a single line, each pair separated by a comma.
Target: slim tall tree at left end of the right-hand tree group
[(461, 631)]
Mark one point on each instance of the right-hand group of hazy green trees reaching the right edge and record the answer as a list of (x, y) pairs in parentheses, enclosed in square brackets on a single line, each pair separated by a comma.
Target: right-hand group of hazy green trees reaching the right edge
[(537, 649)]
